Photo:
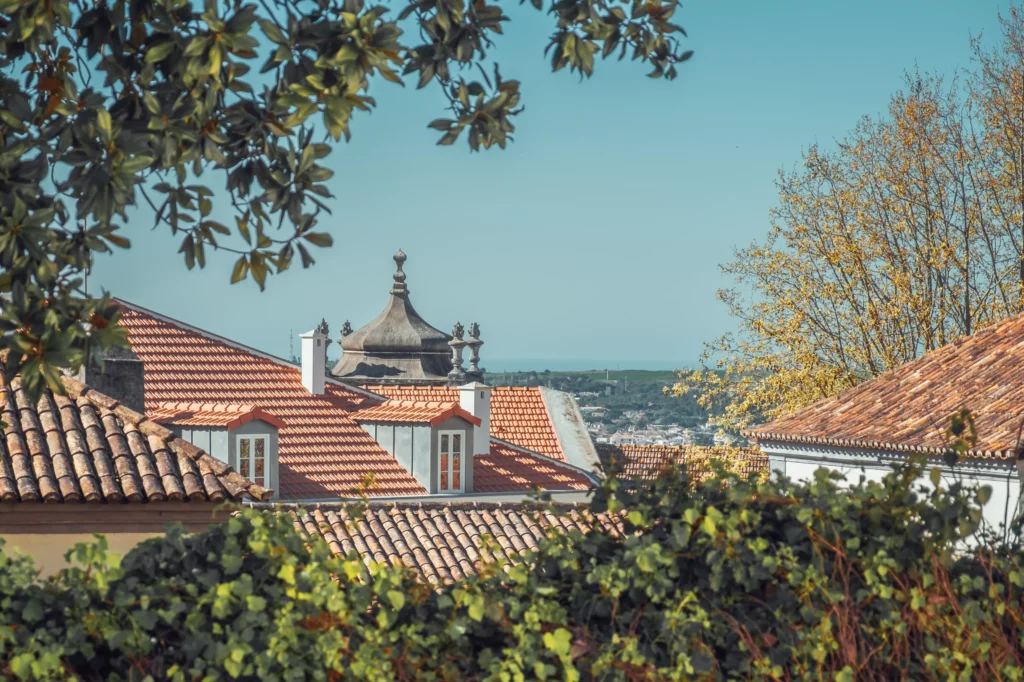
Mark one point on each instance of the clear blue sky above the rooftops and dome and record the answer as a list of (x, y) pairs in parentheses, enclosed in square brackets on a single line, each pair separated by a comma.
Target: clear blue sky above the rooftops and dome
[(595, 239)]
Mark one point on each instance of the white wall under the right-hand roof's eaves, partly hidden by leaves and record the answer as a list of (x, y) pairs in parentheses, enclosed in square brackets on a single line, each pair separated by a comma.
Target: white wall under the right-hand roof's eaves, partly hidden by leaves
[(800, 462)]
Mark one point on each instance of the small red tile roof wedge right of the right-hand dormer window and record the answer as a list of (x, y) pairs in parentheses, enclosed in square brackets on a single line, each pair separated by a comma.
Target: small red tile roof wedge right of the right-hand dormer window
[(508, 470)]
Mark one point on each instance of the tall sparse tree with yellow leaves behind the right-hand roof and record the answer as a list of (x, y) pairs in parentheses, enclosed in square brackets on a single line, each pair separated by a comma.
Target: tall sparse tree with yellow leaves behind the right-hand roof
[(904, 237)]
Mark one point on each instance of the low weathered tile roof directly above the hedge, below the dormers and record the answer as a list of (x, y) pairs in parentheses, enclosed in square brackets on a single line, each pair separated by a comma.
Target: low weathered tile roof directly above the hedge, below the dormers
[(444, 542)]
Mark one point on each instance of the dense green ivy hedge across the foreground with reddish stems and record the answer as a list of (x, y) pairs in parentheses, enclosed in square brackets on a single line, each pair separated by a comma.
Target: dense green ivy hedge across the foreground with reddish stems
[(734, 580)]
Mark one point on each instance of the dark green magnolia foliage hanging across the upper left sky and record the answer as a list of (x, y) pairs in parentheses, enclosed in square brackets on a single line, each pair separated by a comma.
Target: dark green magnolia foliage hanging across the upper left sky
[(110, 105)]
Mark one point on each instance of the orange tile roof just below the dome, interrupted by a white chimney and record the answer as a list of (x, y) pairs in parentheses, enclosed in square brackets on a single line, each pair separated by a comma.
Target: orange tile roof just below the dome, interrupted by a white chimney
[(519, 414)]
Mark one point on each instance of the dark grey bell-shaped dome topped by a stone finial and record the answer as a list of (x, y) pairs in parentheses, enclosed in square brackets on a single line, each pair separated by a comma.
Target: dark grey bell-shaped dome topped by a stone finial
[(397, 348)]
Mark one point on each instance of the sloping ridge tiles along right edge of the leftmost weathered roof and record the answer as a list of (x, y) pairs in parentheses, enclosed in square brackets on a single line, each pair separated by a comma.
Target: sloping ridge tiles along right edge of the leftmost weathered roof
[(233, 480)]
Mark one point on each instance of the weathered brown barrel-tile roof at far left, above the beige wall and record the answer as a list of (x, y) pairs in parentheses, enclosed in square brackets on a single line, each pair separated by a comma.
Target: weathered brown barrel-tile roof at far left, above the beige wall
[(84, 447)]
